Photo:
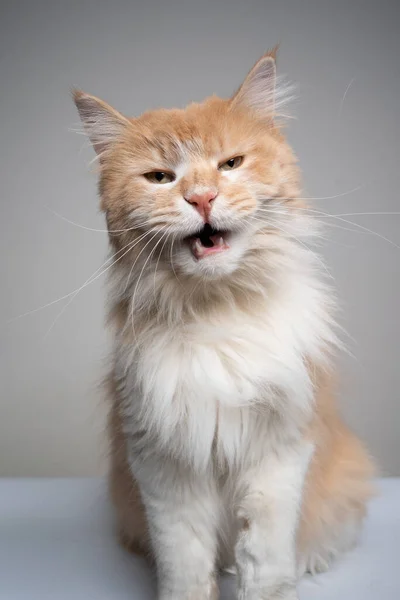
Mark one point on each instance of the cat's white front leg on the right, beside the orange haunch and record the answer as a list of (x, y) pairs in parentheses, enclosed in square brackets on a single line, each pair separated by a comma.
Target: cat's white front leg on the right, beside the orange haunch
[(268, 516)]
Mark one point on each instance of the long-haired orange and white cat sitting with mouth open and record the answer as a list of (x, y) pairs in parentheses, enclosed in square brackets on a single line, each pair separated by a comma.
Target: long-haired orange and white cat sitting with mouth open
[(227, 448)]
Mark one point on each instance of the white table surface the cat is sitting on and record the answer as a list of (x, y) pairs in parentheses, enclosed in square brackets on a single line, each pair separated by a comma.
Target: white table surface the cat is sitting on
[(57, 542)]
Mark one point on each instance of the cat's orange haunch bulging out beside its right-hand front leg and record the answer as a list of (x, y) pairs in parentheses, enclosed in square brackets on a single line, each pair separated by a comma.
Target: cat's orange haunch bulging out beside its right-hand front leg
[(338, 483)]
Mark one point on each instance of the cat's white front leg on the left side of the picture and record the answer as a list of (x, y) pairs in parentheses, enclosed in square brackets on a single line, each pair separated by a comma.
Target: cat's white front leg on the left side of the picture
[(182, 518)]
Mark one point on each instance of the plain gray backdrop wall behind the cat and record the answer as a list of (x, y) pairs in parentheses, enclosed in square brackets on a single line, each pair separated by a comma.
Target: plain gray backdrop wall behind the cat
[(143, 55)]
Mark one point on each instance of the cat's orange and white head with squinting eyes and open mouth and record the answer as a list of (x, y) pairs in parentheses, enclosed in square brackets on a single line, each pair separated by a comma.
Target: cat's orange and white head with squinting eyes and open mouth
[(192, 187)]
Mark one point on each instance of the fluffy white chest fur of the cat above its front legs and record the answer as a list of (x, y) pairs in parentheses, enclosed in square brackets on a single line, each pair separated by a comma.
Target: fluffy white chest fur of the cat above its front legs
[(216, 387)]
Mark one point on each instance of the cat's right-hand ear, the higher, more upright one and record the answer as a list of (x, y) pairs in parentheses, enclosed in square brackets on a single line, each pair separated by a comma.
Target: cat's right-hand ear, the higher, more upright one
[(258, 91)]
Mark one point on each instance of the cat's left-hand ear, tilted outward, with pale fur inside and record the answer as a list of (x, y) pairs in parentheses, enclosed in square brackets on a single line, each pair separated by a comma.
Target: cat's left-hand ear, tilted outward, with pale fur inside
[(103, 124)]
